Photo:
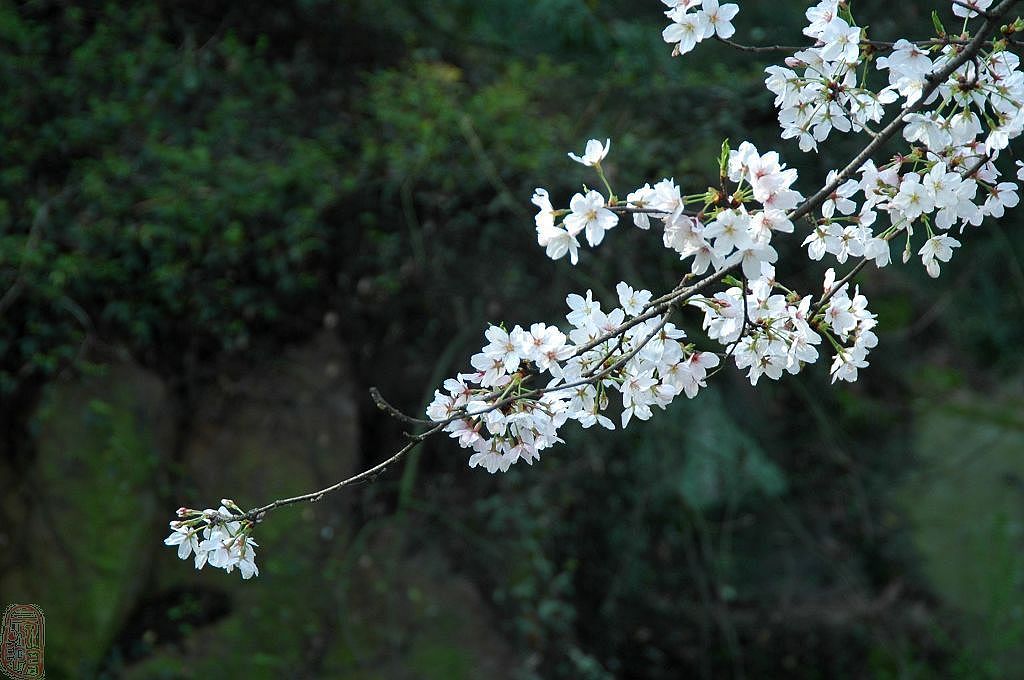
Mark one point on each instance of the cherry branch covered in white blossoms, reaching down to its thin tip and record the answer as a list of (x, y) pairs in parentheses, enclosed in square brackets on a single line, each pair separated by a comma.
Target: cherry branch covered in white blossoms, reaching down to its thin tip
[(494, 412)]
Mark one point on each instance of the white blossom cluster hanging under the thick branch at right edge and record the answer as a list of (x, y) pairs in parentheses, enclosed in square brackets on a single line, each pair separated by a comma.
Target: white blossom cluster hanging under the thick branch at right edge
[(949, 180)]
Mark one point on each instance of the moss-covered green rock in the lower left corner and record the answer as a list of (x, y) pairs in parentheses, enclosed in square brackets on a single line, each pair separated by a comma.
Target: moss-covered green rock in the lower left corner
[(89, 504)]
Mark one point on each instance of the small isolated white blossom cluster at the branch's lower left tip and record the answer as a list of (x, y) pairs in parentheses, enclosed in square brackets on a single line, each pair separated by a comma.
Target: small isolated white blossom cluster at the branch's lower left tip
[(216, 539)]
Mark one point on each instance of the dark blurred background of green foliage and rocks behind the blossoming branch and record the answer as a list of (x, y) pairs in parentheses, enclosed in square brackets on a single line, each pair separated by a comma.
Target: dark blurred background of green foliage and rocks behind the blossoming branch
[(222, 223)]
